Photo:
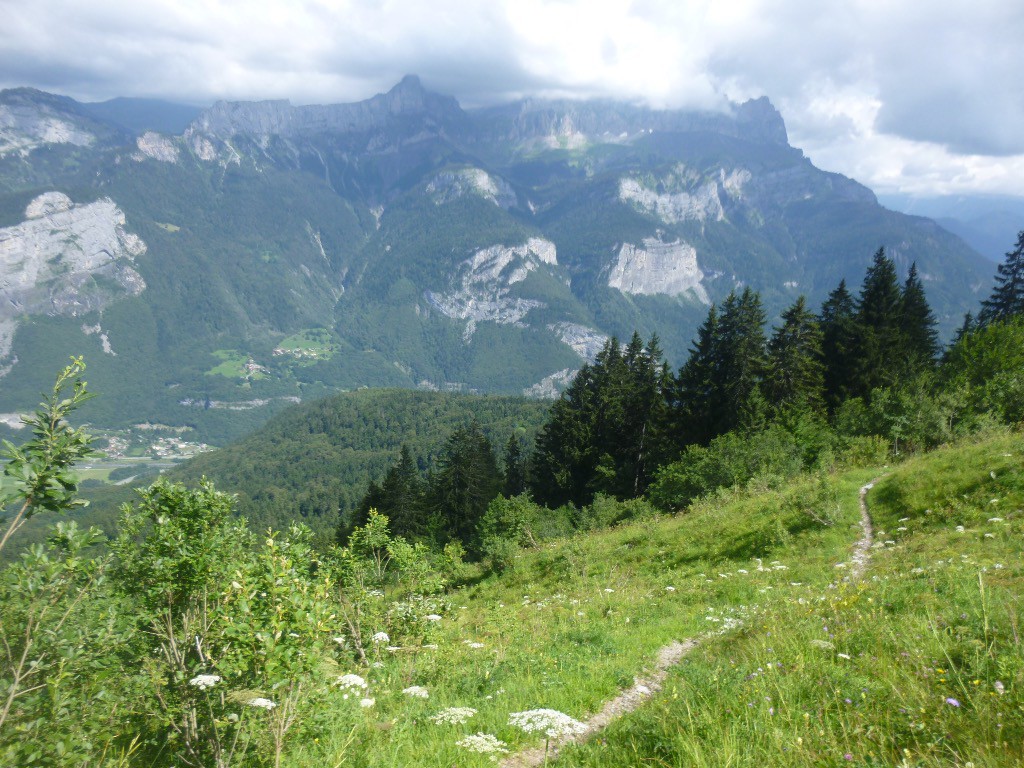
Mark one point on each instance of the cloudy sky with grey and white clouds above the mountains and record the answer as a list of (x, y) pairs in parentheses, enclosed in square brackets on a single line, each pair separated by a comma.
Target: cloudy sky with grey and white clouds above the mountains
[(916, 97)]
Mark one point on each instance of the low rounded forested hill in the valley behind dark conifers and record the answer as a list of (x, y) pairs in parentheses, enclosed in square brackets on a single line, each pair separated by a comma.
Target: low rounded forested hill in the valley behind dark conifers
[(312, 463)]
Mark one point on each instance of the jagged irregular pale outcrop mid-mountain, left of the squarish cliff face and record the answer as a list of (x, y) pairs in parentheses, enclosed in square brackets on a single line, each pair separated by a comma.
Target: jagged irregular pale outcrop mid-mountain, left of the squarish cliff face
[(485, 284)]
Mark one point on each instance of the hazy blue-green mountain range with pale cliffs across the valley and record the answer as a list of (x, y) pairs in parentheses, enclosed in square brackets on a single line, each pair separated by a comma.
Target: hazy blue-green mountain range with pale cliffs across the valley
[(216, 266)]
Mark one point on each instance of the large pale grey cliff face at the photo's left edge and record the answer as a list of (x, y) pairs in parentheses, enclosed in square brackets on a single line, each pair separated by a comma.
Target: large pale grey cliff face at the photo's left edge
[(50, 265)]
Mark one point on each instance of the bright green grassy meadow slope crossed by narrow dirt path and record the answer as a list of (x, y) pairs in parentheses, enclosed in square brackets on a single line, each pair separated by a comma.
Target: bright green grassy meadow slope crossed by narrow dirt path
[(795, 667)]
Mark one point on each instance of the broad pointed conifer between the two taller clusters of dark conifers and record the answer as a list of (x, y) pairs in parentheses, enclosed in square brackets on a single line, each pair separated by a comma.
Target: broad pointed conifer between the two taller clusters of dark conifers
[(796, 371)]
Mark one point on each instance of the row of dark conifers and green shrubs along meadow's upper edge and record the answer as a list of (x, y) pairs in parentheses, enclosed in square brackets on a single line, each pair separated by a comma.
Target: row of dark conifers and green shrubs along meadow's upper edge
[(865, 365)]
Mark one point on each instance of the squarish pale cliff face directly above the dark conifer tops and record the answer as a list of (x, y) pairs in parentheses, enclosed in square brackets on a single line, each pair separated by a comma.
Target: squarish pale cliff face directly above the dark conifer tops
[(657, 268)]
